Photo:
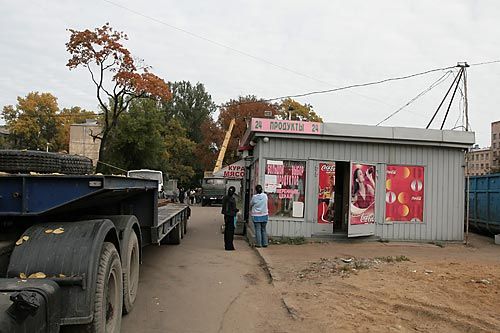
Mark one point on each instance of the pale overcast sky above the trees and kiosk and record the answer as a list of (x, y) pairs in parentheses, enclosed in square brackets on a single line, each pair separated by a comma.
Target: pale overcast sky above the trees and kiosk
[(274, 48)]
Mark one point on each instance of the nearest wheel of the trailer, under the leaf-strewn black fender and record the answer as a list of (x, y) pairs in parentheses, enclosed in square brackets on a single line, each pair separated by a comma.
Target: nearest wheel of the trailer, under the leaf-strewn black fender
[(108, 293)]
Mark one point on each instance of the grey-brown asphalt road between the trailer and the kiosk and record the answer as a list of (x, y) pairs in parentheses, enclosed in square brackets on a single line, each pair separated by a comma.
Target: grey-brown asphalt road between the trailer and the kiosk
[(198, 287)]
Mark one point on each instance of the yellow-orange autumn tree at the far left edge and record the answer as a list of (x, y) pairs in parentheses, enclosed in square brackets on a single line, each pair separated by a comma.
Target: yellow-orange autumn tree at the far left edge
[(33, 123)]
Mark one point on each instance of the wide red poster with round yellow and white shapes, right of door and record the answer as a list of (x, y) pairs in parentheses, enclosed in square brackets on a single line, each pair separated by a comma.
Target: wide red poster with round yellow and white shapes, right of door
[(404, 196)]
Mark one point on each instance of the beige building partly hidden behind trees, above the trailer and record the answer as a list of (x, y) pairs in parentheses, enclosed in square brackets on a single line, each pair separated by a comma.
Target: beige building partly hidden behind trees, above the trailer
[(81, 141)]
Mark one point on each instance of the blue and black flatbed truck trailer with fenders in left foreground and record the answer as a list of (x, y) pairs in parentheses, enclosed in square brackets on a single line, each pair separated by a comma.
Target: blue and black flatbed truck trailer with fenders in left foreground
[(71, 245)]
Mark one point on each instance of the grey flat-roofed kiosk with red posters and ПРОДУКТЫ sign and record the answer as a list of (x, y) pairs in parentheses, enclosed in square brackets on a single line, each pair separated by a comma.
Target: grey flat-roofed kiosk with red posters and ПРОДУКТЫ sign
[(354, 180)]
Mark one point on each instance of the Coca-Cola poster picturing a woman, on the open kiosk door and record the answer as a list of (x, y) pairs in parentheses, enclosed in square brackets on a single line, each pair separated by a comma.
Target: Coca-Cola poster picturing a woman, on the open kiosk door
[(362, 207)]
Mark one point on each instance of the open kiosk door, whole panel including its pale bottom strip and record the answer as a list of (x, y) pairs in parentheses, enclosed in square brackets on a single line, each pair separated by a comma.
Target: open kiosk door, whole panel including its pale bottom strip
[(362, 200)]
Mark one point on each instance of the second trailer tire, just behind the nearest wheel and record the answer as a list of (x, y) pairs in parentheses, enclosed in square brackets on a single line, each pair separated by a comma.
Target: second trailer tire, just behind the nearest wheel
[(131, 273)]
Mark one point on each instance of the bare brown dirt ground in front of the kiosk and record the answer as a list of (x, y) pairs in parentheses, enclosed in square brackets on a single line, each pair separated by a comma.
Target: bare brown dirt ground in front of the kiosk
[(390, 287)]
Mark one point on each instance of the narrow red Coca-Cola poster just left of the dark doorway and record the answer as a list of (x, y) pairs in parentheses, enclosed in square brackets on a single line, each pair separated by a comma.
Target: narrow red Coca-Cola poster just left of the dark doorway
[(326, 191)]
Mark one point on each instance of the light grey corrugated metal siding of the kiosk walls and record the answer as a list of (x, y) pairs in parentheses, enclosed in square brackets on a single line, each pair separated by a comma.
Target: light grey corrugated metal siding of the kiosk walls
[(443, 192)]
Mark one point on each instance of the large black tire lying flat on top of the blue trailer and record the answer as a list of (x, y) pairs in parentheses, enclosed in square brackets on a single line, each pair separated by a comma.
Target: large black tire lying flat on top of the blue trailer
[(26, 161)]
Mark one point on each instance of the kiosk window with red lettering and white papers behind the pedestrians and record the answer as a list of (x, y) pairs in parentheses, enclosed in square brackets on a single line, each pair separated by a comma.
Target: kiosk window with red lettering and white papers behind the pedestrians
[(285, 183)]
